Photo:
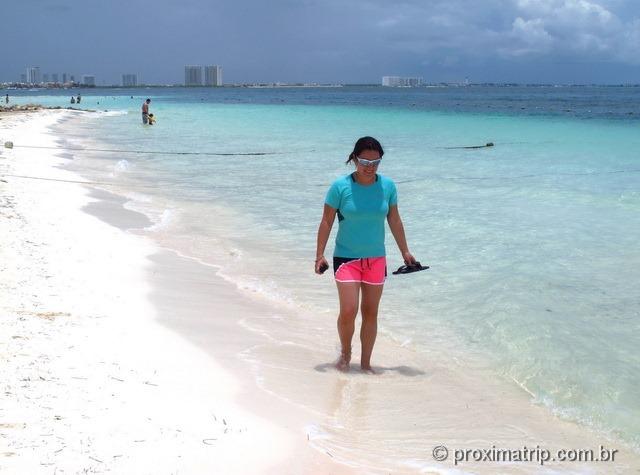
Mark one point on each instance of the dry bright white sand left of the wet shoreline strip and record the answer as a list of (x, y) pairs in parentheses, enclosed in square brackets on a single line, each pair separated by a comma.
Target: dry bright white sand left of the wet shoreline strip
[(91, 382)]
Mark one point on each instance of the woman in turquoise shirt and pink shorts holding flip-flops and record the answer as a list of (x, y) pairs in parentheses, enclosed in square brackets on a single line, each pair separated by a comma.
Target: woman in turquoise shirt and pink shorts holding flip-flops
[(361, 200)]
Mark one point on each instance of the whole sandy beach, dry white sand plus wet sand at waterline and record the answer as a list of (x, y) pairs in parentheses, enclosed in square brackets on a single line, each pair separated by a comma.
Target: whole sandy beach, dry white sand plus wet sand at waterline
[(120, 355)]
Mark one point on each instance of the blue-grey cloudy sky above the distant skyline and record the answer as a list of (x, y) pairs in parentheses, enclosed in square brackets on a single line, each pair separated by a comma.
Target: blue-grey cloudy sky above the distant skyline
[(351, 41)]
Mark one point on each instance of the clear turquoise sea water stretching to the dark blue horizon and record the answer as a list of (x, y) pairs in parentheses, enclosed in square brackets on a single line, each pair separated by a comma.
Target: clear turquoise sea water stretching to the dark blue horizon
[(533, 243)]
